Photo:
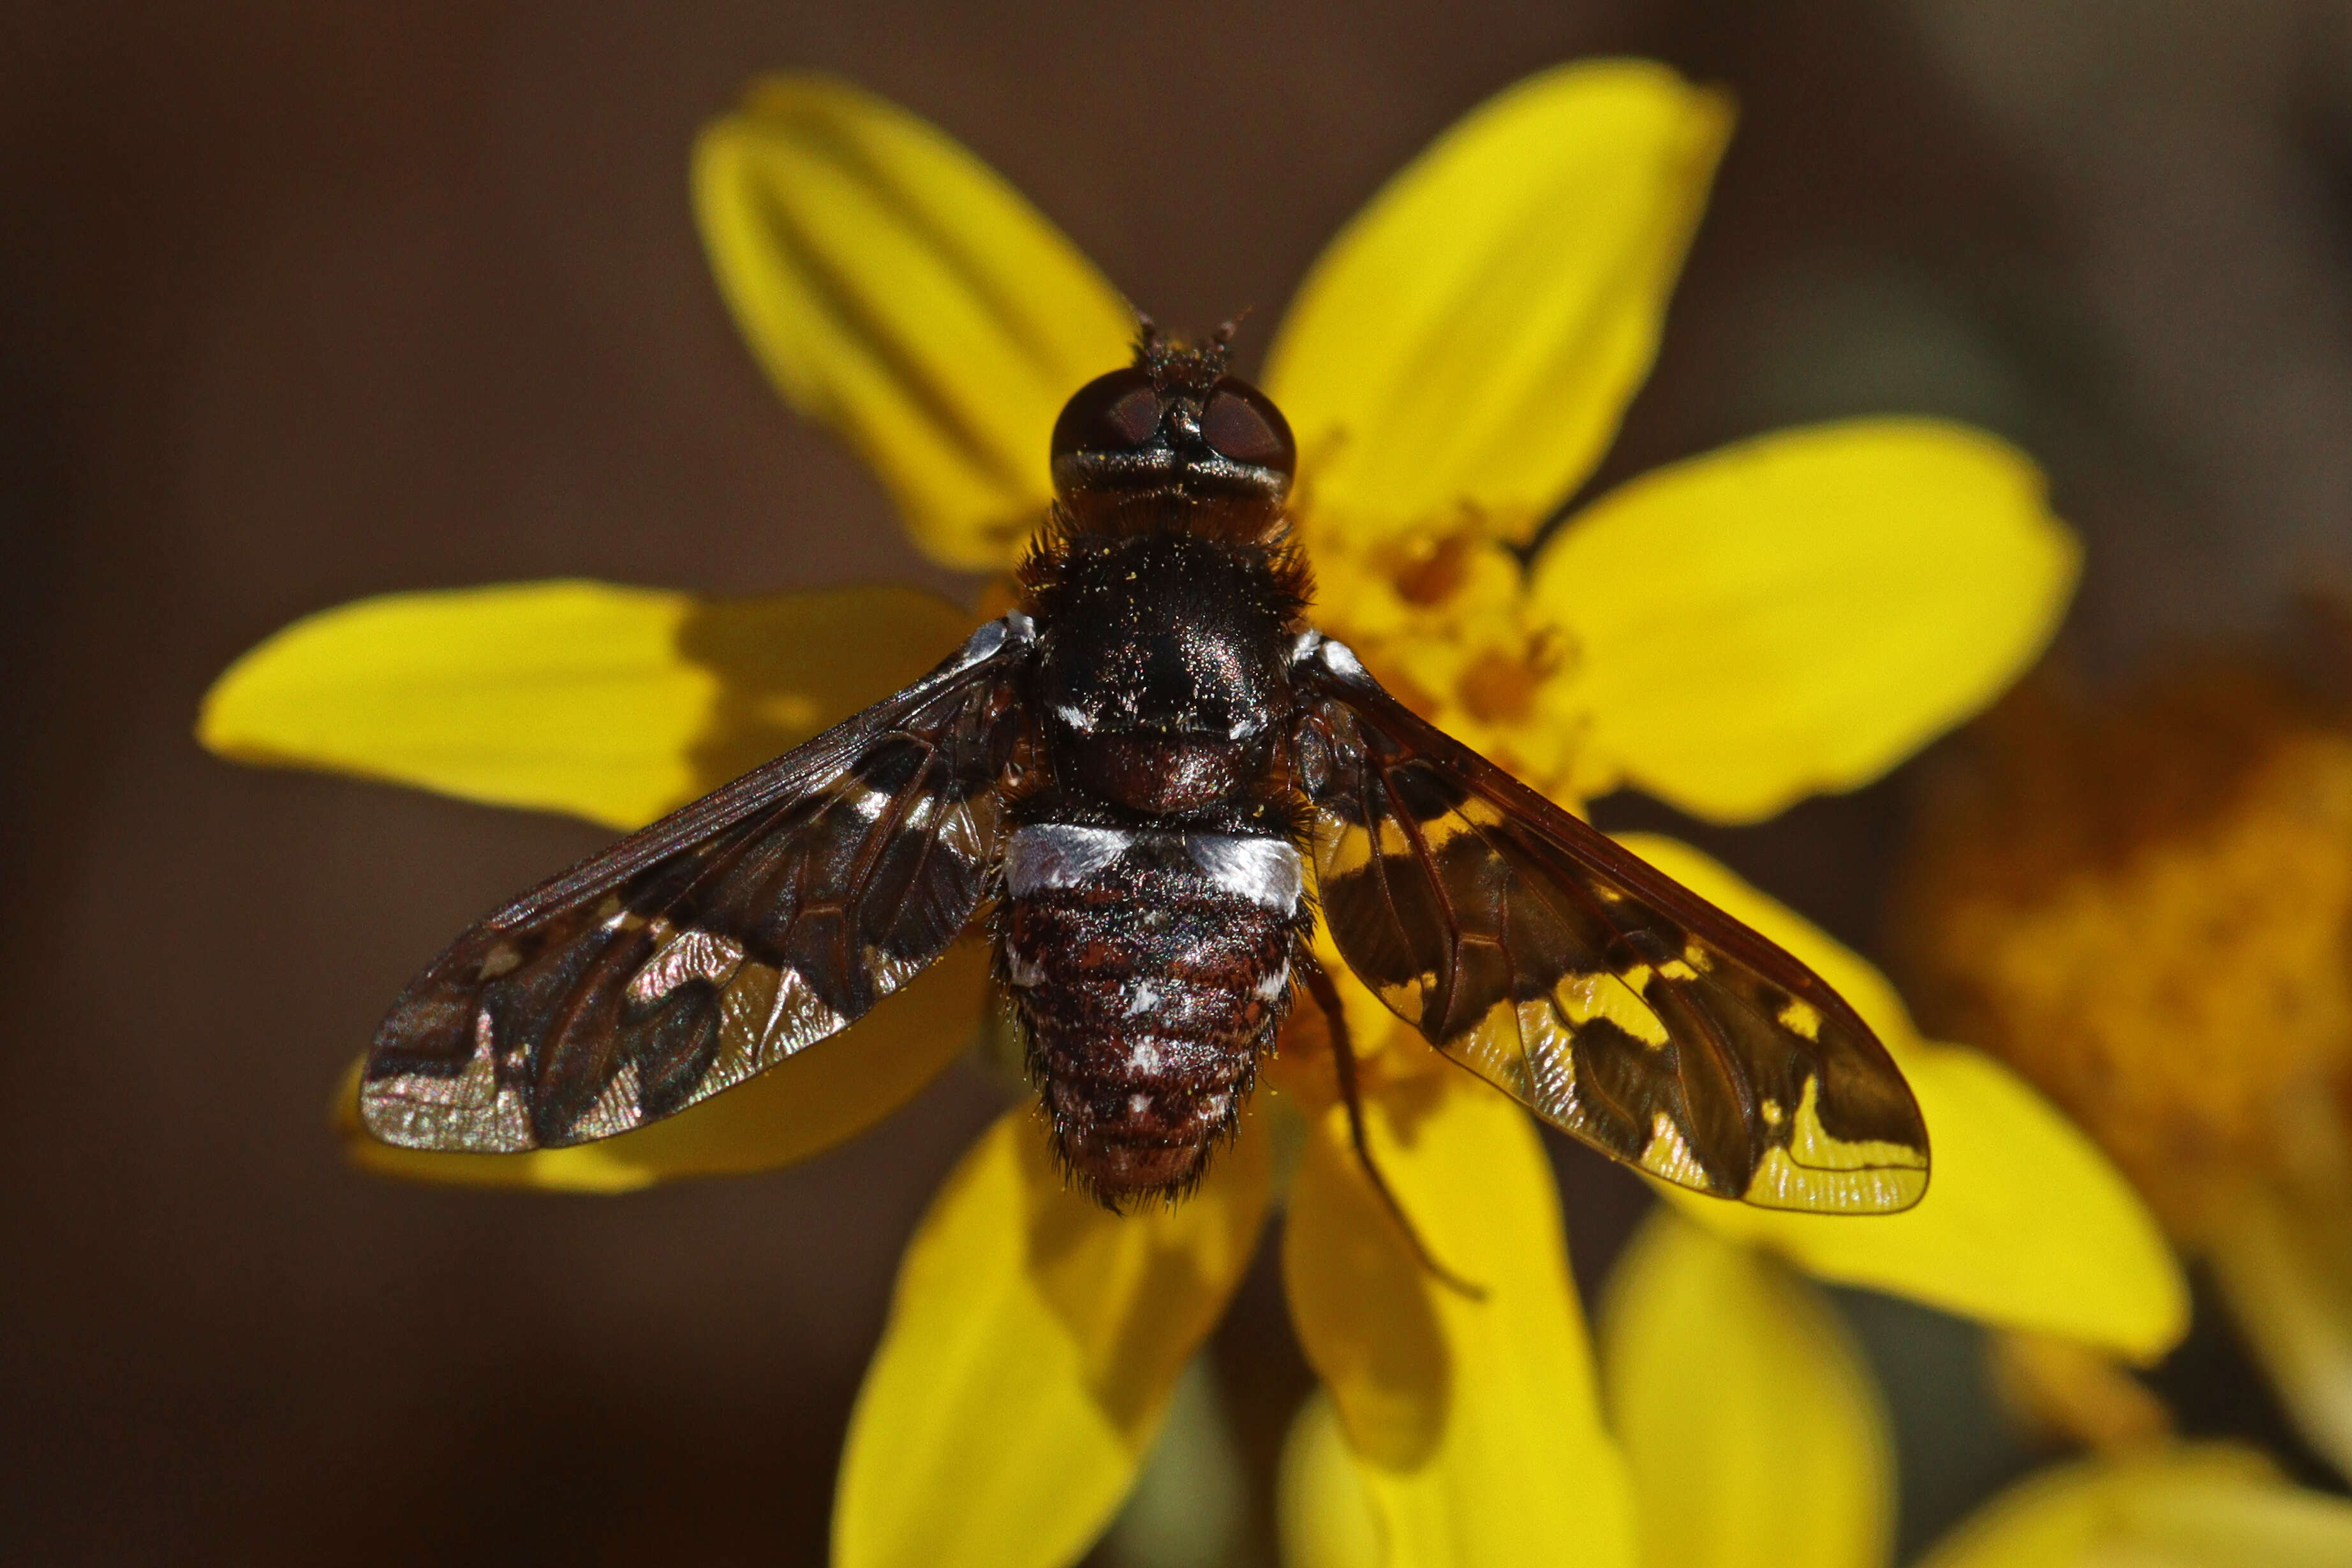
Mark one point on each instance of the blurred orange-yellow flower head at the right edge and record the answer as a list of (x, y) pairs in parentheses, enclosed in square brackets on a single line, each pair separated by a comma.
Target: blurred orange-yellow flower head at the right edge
[(2149, 911)]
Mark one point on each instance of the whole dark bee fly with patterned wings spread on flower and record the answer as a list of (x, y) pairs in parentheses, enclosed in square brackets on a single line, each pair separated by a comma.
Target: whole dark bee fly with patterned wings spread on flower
[(1132, 772)]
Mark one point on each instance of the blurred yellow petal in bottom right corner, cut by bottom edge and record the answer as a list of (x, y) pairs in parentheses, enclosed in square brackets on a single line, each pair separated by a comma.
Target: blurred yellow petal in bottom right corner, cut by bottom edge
[(2191, 1508)]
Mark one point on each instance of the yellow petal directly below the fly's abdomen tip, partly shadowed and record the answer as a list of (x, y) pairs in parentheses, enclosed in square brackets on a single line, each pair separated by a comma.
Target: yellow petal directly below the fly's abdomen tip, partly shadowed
[(1029, 1358)]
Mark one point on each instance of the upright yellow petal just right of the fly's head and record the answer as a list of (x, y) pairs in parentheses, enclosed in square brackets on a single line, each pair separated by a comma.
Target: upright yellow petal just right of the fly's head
[(1476, 333)]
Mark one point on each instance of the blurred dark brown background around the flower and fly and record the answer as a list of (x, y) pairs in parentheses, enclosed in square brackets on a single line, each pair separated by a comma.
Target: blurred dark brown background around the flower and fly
[(302, 304)]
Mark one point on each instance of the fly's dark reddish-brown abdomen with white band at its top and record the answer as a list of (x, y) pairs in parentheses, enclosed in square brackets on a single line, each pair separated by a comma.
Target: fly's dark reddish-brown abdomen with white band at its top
[(1149, 970)]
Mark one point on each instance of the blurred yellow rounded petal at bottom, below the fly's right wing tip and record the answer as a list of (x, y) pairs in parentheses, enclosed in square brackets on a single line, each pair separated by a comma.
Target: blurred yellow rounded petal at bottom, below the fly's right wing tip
[(1751, 1423)]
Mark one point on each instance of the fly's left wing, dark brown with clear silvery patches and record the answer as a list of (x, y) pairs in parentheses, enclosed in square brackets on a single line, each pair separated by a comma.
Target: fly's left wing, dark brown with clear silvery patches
[(719, 942)]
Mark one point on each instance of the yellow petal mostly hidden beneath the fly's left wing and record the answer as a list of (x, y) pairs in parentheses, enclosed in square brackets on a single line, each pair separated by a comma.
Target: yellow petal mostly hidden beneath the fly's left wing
[(808, 1104)]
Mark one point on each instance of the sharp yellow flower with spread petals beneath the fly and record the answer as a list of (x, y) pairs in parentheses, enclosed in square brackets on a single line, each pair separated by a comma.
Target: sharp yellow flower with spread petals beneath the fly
[(1784, 617)]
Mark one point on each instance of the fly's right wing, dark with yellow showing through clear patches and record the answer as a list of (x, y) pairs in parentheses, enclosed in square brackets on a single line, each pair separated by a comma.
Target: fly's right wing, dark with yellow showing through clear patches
[(1596, 991)]
